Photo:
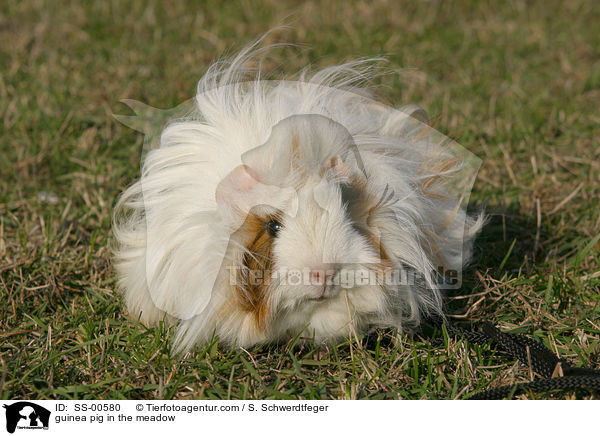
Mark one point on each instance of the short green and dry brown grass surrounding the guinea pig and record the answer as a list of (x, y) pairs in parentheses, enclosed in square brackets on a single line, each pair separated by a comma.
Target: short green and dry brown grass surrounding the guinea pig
[(517, 83)]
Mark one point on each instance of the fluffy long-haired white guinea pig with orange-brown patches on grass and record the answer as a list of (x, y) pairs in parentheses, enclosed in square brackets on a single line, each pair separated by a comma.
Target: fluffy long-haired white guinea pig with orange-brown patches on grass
[(283, 209)]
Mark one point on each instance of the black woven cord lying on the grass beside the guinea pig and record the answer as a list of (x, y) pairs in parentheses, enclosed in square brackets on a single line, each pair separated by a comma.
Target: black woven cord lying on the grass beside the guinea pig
[(553, 373)]
